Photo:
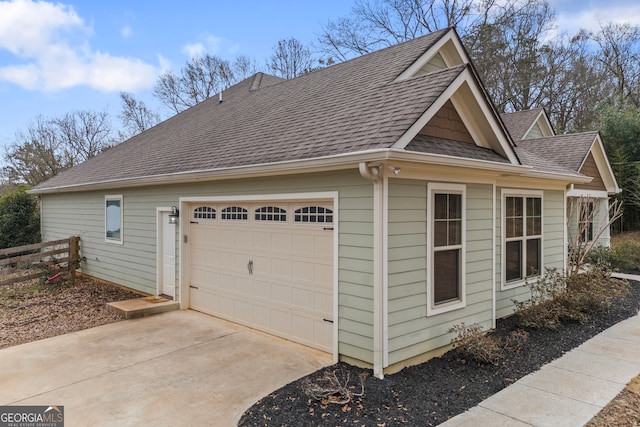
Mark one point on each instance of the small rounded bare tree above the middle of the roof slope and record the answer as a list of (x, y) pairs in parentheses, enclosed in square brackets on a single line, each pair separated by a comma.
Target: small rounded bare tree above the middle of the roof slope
[(290, 59)]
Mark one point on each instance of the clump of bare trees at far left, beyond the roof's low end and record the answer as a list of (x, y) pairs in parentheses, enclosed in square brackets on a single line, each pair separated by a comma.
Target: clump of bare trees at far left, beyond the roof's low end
[(49, 146)]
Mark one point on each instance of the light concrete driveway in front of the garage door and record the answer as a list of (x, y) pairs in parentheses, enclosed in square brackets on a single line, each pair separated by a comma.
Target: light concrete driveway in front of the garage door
[(177, 368)]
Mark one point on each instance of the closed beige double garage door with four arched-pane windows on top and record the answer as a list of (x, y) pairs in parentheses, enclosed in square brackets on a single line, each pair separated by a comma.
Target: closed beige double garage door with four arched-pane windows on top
[(266, 265)]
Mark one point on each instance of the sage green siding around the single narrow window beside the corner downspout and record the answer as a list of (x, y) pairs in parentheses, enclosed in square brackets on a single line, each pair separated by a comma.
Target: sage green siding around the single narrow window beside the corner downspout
[(411, 332)]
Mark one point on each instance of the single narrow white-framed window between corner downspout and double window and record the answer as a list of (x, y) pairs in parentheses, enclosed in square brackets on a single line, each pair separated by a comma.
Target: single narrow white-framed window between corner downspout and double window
[(446, 207)]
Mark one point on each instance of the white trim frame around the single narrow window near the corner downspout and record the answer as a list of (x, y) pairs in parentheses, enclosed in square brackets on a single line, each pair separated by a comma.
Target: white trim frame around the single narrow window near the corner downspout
[(432, 309)]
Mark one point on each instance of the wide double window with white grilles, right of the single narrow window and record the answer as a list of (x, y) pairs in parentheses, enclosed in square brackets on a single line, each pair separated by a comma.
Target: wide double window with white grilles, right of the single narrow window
[(522, 237)]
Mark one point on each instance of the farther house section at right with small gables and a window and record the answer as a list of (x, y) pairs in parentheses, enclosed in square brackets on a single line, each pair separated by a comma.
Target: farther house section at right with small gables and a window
[(580, 152)]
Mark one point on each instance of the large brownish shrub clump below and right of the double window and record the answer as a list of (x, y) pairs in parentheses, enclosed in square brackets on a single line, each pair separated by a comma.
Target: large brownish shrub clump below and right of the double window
[(556, 298)]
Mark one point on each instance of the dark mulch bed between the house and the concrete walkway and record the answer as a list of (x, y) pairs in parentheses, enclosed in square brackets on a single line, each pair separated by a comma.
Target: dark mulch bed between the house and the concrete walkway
[(430, 393)]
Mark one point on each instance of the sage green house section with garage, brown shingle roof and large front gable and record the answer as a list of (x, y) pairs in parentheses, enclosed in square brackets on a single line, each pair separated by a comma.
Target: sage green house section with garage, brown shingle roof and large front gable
[(362, 209)]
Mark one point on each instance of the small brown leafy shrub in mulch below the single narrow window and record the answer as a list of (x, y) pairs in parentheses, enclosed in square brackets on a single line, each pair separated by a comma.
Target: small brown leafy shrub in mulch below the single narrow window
[(486, 348)]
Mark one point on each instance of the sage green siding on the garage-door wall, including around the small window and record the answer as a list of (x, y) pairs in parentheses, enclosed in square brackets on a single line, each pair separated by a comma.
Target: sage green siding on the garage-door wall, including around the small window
[(133, 264)]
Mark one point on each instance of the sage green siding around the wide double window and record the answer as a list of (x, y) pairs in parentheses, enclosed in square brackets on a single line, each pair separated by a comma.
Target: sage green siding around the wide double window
[(553, 248)]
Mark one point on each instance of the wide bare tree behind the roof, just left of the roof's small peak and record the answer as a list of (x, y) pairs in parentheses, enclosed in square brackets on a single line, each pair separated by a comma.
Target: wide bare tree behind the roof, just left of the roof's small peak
[(201, 78)]
